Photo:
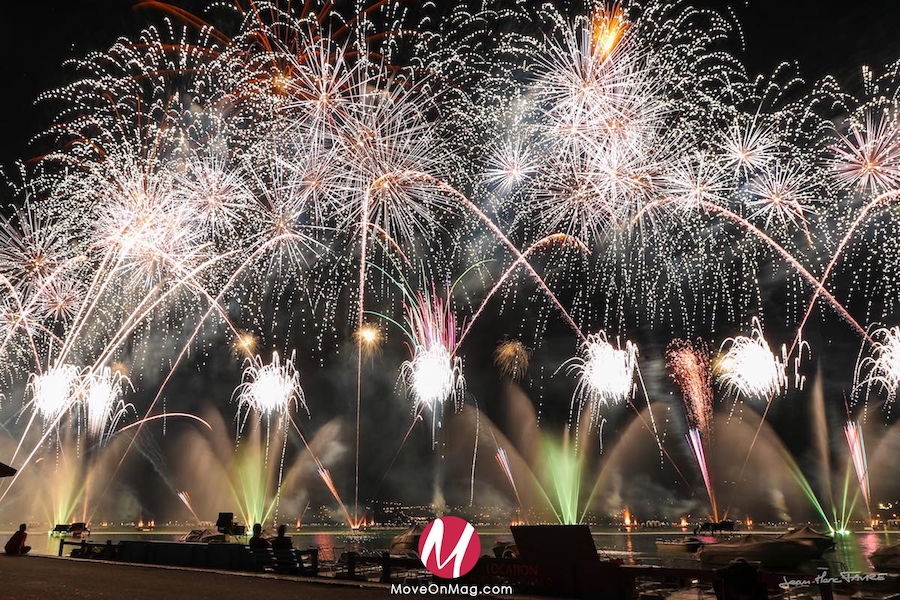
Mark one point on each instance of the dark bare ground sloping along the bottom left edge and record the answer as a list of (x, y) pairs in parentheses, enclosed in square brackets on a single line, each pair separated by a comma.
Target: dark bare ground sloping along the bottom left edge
[(39, 577)]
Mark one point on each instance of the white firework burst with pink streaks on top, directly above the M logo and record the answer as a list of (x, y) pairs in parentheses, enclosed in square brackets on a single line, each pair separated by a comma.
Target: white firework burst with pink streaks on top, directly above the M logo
[(433, 376)]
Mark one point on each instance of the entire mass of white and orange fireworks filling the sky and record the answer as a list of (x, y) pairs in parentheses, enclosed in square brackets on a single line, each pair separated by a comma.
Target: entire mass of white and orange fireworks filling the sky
[(255, 181)]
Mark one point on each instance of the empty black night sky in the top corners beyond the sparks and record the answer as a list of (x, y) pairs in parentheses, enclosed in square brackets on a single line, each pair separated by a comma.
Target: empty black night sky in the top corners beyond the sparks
[(823, 36)]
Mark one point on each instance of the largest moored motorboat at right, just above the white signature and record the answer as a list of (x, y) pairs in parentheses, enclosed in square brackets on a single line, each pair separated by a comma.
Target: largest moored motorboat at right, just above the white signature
[(773, 552)]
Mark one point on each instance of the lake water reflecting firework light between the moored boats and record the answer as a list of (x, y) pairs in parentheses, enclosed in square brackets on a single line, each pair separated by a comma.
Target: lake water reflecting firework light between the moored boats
[(851, 553)]
